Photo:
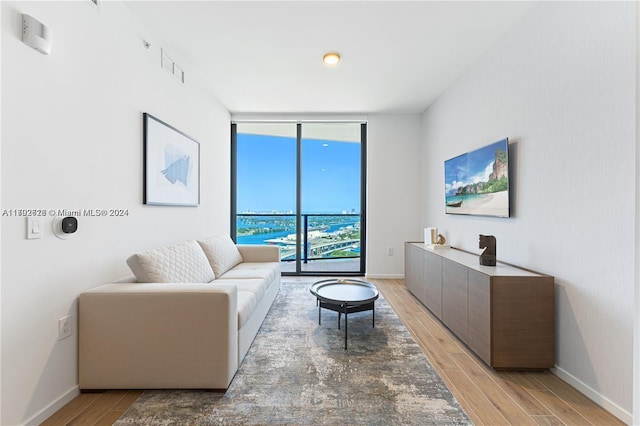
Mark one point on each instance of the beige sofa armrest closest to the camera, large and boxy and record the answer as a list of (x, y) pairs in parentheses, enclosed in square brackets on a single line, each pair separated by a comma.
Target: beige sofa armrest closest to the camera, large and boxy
[(159, 335)]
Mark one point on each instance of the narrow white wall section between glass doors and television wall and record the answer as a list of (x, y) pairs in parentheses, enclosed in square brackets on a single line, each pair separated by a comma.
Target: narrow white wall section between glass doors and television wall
[(393, 188)]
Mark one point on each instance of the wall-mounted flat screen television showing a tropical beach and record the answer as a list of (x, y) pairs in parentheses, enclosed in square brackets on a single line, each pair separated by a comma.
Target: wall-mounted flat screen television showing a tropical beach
[(477, 183)]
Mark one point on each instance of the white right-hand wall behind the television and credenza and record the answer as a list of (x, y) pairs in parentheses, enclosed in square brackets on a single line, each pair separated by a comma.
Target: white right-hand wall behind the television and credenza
[(561, 86)]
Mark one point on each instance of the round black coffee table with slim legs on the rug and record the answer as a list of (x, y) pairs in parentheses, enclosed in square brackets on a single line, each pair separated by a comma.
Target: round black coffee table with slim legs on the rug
[(345, 296)]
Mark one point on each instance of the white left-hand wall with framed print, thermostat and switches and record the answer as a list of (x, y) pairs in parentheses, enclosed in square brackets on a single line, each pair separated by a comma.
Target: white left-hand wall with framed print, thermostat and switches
[(72, 139)]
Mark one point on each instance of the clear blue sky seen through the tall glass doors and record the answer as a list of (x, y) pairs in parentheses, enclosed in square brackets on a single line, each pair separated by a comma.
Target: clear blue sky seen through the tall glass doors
[(267, 175)]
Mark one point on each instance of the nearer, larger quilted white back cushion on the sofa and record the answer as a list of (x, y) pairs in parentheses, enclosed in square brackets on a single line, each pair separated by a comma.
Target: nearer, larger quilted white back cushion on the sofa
[(179, 263)]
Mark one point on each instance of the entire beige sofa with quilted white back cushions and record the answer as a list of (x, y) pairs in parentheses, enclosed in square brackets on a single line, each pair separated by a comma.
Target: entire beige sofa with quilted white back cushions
[(185, 320)]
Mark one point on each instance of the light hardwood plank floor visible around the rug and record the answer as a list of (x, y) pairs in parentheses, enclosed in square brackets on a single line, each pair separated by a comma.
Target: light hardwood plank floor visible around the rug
[(488, 397)]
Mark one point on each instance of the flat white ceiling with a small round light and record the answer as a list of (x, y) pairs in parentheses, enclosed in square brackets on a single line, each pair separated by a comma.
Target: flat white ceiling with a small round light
[(266, 56)]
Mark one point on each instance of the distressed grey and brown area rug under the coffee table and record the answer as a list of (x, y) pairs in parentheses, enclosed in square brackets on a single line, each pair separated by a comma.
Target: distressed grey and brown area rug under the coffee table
[(298, 372)]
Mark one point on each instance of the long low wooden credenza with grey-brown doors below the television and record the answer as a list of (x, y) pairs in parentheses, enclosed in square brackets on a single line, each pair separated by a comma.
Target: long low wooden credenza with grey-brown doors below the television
[(502, 313)]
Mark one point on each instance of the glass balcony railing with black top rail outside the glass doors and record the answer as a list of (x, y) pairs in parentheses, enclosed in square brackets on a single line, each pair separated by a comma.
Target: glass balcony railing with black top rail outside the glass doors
[(322, 236)]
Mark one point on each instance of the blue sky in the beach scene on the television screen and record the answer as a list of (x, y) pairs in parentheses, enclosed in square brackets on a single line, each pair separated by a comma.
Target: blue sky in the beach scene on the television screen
[(472, 167)]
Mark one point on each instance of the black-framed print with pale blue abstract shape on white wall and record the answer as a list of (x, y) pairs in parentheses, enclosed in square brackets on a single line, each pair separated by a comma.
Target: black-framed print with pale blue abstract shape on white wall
[(171, 165)]
